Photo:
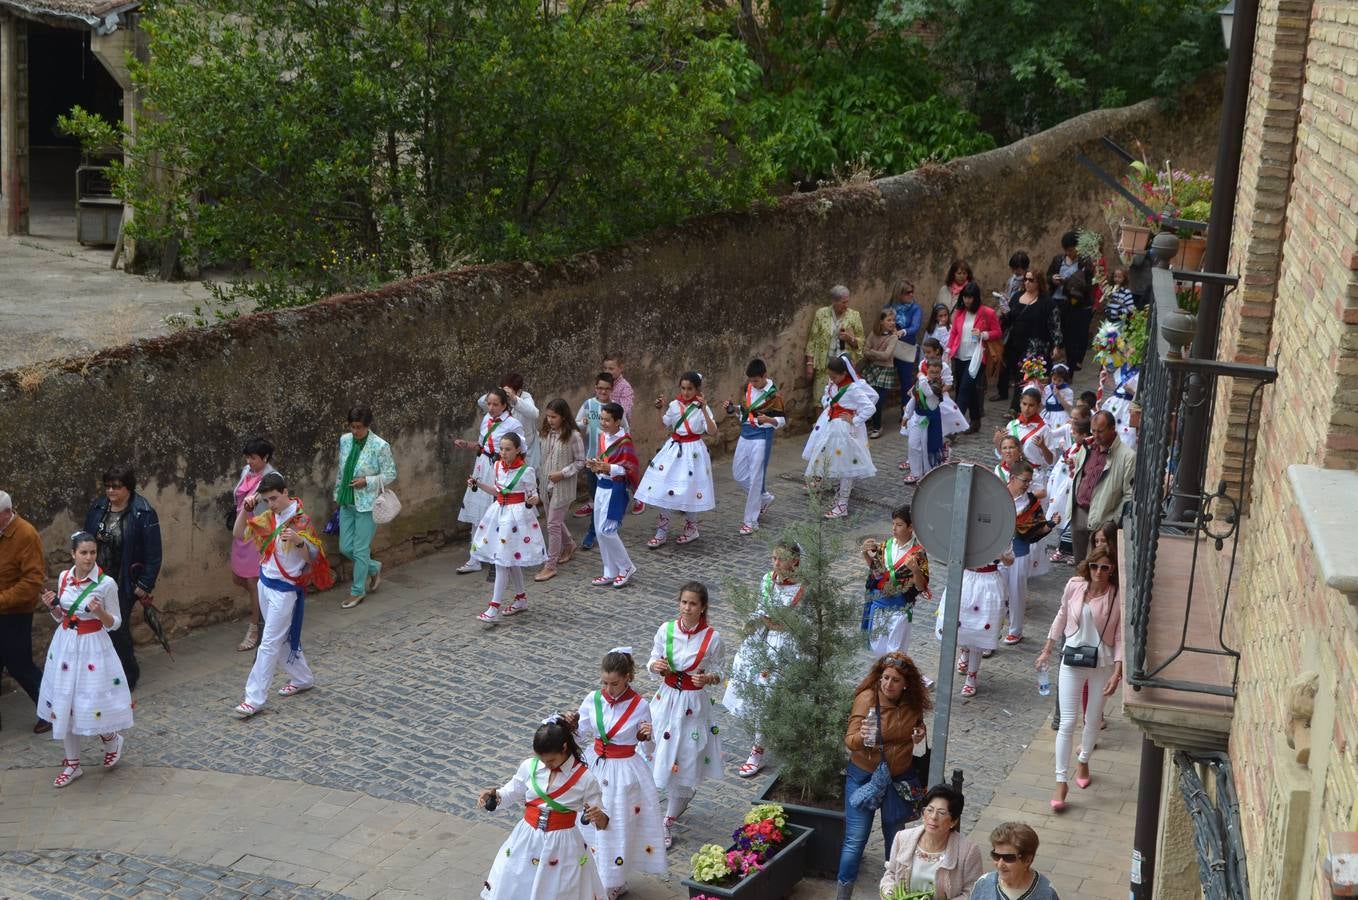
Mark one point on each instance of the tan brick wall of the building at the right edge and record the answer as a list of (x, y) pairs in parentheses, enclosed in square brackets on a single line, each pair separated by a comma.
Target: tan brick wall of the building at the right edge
[(1300, 301)]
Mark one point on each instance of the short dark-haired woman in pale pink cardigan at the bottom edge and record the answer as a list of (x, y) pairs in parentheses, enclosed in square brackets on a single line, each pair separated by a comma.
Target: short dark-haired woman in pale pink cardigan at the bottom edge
[(934, 855)]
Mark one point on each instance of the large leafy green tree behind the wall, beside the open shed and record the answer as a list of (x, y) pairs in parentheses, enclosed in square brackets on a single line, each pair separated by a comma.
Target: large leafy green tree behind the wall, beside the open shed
[(335, 147)]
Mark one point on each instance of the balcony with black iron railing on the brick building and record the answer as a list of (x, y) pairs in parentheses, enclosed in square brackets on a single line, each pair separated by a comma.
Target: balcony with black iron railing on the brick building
[(1179, 542)]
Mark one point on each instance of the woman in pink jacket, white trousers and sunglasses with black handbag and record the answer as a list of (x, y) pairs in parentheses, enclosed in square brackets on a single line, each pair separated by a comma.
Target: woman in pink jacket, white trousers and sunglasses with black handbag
[(1090, 624)]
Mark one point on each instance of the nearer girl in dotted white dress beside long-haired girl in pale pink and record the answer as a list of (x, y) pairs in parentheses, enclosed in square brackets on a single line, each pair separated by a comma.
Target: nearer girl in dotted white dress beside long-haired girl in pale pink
[(509, 536)]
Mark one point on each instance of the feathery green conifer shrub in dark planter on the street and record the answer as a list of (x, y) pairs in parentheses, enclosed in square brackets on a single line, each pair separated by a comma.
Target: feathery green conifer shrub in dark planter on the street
[(802, 715)]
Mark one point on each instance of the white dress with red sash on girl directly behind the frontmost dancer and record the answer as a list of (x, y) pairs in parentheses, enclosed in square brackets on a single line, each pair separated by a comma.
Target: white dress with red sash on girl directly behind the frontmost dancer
[(635, 841)]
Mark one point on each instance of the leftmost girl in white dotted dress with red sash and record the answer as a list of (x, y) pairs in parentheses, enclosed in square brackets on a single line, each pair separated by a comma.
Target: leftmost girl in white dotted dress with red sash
[(85, 690)]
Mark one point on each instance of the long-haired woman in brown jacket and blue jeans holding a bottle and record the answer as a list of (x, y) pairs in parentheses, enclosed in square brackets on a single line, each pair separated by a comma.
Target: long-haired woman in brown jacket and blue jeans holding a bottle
[(885, 724)]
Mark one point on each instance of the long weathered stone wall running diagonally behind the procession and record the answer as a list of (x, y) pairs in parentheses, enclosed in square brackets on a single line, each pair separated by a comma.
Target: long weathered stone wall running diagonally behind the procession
[(705, 297)]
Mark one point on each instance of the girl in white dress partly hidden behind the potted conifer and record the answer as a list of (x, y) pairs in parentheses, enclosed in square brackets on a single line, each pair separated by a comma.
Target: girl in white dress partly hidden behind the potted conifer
[(779, 588)]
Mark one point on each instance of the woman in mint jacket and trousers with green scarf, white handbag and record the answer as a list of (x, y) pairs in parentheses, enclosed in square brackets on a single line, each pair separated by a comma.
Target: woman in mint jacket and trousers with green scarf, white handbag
[(366, 469)]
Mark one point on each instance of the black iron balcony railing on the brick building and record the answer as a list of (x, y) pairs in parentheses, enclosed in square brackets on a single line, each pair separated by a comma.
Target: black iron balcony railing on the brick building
[(1173, 389)]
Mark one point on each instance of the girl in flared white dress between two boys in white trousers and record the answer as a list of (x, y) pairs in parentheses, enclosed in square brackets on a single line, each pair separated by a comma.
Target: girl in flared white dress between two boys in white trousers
[(680, 476)]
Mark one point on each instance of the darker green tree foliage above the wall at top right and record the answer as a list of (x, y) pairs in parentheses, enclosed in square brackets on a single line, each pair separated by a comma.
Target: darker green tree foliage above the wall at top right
[(1026, 66)]
